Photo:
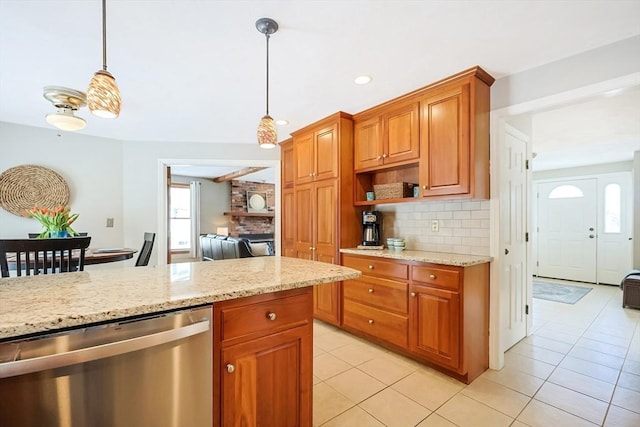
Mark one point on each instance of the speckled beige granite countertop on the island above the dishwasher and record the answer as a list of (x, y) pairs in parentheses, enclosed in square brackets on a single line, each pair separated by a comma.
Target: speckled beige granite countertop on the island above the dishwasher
[(35, 304)]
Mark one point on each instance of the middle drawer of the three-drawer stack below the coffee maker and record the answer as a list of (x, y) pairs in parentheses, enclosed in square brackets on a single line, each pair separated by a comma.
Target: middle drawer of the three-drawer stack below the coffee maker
[(382, 293)]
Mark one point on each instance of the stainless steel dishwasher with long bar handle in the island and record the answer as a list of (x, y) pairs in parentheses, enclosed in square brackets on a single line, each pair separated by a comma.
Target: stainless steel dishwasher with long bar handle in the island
[(149, 371)]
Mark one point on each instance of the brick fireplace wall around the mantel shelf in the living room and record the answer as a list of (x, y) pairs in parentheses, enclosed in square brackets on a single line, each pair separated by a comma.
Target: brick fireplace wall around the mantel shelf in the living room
[(250, 225)]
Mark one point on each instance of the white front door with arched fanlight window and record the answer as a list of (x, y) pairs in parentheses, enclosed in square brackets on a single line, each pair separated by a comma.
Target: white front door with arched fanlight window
[(567, 230)]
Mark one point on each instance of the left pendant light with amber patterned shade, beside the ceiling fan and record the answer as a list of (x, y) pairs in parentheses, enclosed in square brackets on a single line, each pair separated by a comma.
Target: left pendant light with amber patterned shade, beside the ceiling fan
[(103, 95)]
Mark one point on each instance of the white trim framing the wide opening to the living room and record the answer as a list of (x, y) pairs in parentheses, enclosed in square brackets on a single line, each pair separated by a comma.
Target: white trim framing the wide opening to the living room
[(163, 164)]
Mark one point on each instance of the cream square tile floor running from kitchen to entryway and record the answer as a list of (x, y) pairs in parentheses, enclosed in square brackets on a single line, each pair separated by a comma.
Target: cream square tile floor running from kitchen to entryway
[(580, 367)]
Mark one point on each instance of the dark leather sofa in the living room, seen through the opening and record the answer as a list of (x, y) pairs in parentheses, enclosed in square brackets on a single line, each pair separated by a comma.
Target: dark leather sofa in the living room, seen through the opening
[(217, 247)]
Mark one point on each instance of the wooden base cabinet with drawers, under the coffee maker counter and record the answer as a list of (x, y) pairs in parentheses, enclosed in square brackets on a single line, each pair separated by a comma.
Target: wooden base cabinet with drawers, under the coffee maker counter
[(438, 314)]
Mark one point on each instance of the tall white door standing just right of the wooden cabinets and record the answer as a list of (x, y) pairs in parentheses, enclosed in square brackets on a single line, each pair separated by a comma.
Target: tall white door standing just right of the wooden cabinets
[(513, 221)]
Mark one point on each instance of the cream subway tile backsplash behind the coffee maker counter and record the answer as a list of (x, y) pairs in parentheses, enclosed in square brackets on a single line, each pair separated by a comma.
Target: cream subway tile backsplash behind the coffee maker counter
[(463, 225)]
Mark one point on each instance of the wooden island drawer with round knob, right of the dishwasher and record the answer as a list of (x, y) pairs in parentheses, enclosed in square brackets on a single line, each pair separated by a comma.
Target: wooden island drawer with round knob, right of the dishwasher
[(264, 318)]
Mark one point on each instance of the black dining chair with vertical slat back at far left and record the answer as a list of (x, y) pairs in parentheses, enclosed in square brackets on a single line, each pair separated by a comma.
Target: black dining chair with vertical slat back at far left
[(43, 256)]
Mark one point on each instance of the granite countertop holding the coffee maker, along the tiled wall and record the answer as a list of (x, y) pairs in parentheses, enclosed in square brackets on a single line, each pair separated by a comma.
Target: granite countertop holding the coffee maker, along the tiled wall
[(443, 258)]
